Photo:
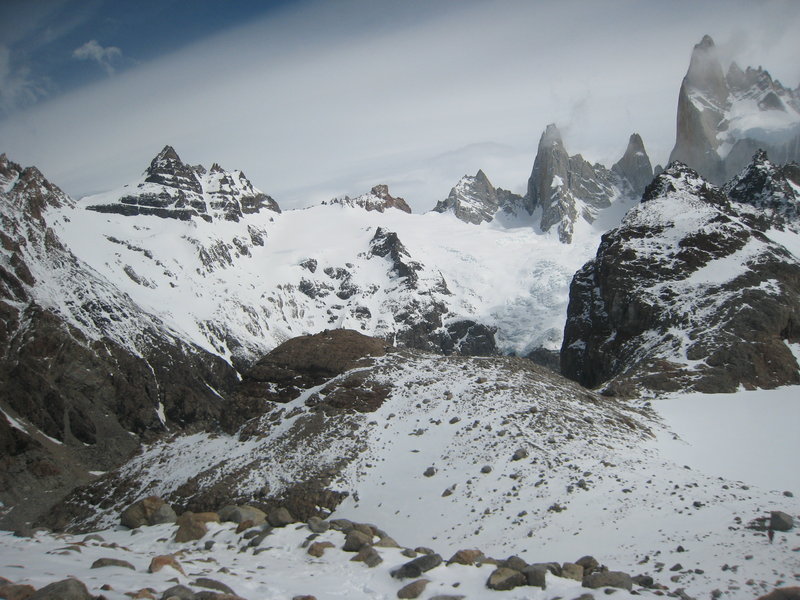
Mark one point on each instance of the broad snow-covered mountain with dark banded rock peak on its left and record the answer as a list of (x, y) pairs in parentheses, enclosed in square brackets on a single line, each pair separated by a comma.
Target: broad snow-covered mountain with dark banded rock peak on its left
[(240, 286)]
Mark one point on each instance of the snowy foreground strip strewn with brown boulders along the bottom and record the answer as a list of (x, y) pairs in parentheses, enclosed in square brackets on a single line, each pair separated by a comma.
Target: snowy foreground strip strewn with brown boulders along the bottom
[(242, 552)]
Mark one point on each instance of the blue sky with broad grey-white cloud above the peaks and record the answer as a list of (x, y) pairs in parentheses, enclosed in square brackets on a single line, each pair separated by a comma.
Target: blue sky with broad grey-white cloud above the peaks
[(314, 99)]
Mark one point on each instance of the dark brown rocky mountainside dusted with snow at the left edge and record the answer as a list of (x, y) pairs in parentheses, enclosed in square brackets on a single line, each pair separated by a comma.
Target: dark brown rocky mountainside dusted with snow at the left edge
[(81, 366)]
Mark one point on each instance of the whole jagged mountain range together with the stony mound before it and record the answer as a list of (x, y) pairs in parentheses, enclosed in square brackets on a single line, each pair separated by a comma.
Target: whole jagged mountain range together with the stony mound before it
[(352, 346)]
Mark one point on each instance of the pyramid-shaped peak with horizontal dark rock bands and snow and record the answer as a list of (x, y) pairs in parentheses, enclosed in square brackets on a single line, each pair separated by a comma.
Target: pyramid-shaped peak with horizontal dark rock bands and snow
[(172, 189)]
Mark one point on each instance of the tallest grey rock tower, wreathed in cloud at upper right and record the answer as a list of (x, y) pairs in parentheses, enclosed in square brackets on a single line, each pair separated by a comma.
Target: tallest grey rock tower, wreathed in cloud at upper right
[(723, 118)]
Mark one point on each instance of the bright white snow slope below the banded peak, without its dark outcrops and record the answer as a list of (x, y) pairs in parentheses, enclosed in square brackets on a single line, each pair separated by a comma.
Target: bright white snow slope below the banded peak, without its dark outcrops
[(225, 291)]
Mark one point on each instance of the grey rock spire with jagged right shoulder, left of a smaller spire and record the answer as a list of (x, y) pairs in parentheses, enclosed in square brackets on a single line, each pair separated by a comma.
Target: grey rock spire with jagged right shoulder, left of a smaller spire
[(560, 185)]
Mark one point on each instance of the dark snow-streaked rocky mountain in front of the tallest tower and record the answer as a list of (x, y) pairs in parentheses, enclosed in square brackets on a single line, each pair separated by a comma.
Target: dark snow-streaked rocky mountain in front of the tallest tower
[(688, 293)]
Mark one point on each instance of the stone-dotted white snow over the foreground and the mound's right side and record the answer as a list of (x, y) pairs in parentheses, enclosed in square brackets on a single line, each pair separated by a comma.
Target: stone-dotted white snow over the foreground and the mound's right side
[(675, 506)]
